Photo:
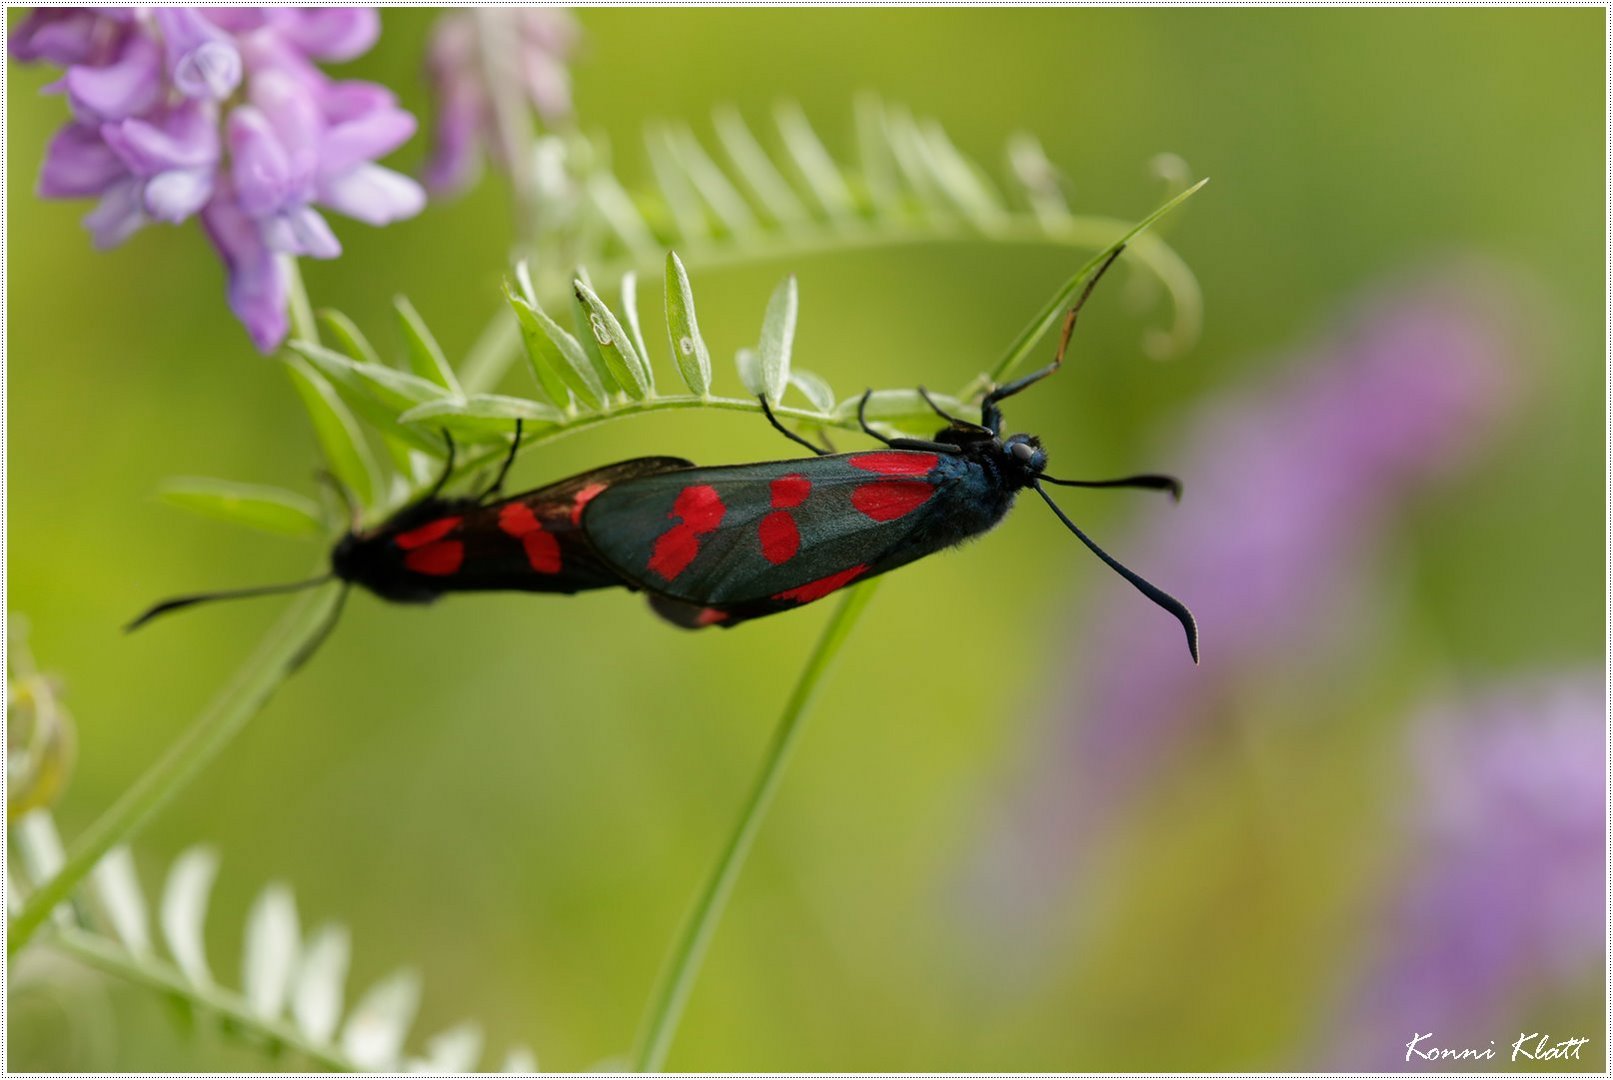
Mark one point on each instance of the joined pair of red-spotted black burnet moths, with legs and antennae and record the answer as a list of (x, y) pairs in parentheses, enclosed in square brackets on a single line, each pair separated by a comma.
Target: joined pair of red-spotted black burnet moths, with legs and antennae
[(722, 546)]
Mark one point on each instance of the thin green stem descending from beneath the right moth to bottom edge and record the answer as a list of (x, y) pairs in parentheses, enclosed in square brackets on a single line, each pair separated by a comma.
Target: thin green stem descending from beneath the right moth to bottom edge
[(672, 992)]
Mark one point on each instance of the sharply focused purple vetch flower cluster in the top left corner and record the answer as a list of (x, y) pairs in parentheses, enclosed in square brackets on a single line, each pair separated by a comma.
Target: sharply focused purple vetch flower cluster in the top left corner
[(222, 114)]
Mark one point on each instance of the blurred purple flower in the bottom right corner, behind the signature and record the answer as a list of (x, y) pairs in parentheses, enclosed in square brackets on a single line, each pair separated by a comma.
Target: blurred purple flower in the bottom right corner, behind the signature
[(1501, 894)]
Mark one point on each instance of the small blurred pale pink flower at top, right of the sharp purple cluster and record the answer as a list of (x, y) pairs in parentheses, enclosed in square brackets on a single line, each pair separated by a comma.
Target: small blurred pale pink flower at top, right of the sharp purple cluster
[(533, 51)]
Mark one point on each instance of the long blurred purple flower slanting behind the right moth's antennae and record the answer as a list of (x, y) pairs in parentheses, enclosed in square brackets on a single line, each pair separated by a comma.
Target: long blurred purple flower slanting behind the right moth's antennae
[(1290, 491)]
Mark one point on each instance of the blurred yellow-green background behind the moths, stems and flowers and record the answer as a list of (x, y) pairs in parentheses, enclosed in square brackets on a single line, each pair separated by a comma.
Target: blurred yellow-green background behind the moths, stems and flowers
[(522, 795)]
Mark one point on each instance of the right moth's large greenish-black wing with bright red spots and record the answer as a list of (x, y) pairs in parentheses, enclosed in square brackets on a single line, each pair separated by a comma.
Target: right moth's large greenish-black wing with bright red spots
[(720, 546)]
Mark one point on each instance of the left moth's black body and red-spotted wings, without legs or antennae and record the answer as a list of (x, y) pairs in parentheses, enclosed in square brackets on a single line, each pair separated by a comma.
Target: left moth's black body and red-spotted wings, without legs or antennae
[(528, 542)]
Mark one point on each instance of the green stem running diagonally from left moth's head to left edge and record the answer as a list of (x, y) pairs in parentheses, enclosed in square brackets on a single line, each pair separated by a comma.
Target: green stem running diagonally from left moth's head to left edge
[(240, 702)]
